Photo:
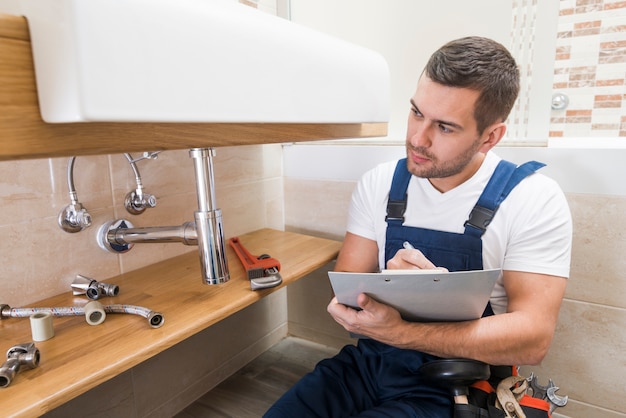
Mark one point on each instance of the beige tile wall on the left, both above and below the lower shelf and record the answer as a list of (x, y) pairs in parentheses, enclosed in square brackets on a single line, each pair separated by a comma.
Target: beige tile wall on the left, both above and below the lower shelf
[(38, 259)]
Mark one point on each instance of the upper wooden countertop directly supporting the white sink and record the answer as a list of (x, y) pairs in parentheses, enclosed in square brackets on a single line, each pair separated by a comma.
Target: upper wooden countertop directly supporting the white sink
[(23, 134)]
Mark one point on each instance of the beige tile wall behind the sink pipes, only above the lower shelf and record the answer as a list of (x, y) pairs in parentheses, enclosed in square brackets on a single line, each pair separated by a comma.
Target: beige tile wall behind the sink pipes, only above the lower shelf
[(39, 259)]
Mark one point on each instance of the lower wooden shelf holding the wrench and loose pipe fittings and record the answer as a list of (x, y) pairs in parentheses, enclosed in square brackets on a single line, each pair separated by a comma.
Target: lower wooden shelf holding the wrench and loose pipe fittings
[(81, 356)]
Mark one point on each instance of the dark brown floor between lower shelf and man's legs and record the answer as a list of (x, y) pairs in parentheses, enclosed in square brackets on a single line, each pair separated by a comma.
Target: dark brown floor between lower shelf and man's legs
[(254, 388)]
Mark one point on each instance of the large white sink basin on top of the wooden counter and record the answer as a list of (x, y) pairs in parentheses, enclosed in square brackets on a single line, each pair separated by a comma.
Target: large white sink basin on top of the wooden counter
[(195, 61)]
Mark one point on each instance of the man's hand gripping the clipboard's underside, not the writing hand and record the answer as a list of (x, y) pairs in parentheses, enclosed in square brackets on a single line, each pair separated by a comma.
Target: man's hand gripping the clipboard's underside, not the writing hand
[(374, 320)]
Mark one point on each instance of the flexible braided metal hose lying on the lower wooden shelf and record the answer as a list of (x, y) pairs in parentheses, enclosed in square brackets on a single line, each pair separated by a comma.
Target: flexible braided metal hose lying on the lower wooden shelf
[(155, 319)]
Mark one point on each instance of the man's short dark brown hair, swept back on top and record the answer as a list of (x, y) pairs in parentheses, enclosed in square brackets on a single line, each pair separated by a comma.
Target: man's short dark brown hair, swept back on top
[(479, 64)]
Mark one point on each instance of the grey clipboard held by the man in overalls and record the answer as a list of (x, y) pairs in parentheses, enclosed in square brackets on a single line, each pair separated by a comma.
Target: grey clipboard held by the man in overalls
[(421, 295)]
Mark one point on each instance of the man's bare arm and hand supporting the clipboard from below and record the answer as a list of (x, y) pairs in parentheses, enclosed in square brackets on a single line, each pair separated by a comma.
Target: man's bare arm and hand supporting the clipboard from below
[(520, 336)]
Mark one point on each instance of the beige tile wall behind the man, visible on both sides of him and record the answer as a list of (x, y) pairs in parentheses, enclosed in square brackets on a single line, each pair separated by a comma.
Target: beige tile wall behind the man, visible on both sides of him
[(587, 359)]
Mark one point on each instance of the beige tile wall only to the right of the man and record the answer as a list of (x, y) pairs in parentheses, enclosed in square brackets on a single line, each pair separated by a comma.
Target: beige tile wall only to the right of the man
[(588, 355)]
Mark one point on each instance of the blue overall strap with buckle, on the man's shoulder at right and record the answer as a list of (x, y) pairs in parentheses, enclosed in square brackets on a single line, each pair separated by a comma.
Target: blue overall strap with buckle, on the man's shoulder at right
[(504, 179)]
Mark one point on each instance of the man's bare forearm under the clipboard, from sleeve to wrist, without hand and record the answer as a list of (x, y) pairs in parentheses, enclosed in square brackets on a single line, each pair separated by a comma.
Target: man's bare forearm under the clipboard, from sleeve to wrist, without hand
[(521, 336)]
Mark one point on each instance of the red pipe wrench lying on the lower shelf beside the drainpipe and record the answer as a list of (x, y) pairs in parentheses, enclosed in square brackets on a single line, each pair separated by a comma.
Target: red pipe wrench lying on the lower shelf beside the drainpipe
[(262, 270)]
